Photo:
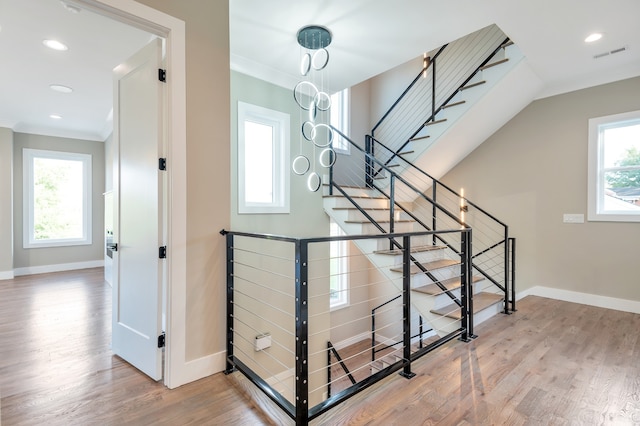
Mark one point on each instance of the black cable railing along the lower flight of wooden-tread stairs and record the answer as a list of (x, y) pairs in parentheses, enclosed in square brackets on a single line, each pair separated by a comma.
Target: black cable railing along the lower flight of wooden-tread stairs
[(435, 210)]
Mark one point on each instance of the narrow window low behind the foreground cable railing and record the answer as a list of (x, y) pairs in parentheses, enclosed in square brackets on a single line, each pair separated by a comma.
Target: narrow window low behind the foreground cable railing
[(339, 269)]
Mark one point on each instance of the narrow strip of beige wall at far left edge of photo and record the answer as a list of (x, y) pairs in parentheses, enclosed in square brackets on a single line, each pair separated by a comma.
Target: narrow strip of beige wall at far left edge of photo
[(6, 203)]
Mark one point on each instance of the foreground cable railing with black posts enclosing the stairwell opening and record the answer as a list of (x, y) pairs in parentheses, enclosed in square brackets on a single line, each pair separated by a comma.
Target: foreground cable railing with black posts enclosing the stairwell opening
[(279, 318)]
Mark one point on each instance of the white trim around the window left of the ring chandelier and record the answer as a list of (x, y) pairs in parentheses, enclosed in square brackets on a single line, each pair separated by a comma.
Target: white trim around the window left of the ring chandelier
[(280, 122)]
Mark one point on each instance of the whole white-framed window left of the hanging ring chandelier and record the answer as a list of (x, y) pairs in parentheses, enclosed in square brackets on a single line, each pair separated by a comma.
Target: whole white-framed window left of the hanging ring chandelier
[(263, 160)]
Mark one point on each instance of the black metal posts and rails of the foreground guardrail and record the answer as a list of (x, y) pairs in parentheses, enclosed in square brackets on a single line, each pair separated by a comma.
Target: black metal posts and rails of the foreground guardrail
[(300, 410)]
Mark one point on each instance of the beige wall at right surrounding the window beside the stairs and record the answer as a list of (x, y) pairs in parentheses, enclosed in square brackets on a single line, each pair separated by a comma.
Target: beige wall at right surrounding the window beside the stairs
[(532, 171)]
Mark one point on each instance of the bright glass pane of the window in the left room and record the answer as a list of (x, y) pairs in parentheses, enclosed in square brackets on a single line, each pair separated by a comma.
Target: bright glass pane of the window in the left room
[(58, 199)]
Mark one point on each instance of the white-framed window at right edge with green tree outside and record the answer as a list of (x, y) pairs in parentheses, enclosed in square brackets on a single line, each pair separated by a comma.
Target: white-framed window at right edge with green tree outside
[(614, 168)]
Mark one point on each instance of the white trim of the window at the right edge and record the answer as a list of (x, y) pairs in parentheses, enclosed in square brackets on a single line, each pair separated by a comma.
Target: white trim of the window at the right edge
[(595, 194)]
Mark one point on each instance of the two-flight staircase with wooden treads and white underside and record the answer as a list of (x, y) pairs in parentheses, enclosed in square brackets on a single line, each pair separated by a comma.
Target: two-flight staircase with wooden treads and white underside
[(391, 192)]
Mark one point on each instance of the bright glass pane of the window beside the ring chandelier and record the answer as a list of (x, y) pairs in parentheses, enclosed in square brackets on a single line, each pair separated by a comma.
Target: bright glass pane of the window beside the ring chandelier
[(258, 165)]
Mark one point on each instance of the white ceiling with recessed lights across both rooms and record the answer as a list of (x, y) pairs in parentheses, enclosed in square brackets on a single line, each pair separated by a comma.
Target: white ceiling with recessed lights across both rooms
[(369, 37)]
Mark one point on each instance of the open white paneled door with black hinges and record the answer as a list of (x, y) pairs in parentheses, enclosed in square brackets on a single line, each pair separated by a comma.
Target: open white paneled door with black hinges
[(138, 211)]
